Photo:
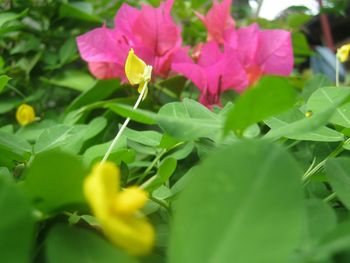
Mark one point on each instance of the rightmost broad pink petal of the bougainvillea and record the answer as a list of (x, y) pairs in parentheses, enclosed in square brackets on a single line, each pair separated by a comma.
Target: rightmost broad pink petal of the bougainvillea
[(275, 53)]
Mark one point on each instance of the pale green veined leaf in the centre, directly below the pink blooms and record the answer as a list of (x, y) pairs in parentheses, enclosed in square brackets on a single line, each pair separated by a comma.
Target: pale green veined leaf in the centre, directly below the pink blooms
[(188, 120)]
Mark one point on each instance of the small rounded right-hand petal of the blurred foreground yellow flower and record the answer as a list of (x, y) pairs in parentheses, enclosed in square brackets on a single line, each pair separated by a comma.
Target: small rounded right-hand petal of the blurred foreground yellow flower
[(130, 201)]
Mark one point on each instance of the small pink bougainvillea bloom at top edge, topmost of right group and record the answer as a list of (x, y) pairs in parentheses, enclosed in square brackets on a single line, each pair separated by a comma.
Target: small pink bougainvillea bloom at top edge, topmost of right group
[(218, 20)]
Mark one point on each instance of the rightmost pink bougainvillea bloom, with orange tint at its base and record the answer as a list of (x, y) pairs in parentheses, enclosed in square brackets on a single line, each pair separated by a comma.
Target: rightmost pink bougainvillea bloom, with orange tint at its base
[(262, 52)]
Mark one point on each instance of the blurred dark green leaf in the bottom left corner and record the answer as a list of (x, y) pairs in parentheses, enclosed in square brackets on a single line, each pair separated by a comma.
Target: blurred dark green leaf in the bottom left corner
[(16, 224)]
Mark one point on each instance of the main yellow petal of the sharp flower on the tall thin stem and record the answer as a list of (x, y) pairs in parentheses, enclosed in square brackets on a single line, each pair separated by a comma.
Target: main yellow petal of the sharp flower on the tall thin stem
[(134, 68)]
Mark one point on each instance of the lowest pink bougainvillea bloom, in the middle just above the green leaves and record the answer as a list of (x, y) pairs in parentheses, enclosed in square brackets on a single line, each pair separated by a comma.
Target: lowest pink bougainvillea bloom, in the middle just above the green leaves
[(215, 72)]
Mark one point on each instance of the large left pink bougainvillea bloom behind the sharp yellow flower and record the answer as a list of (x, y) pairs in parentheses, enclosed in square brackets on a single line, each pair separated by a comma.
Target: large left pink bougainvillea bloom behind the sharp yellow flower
[(151, 32)]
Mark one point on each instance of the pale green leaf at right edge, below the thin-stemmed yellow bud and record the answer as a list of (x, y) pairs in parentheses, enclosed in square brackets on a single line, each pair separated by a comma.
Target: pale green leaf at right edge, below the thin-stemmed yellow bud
[(326, 97)]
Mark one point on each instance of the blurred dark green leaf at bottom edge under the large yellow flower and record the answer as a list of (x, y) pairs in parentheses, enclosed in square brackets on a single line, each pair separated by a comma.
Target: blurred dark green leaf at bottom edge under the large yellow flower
[(70, 244)]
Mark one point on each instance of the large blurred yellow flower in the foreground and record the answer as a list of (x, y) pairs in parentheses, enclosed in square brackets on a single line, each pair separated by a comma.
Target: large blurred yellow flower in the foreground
[(118, 211)]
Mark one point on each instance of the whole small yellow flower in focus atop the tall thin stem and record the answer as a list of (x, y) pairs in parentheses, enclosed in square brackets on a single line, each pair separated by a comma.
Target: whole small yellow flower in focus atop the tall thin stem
[(137, 72)]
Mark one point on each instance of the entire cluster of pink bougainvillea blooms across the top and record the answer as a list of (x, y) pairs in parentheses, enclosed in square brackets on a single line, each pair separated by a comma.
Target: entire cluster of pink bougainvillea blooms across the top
[(231, 59)]
